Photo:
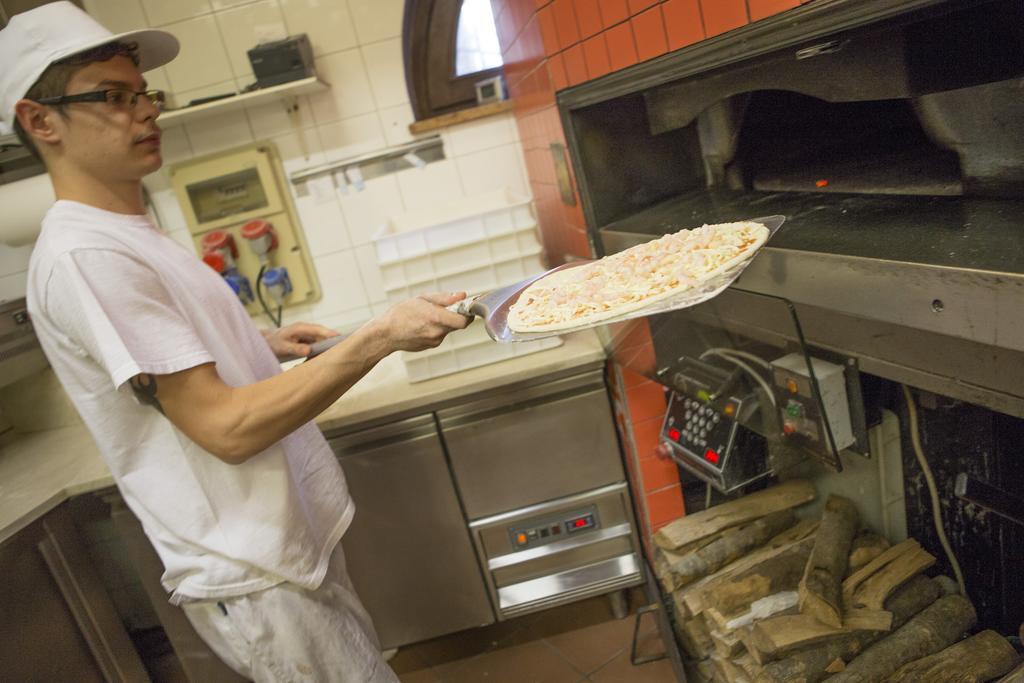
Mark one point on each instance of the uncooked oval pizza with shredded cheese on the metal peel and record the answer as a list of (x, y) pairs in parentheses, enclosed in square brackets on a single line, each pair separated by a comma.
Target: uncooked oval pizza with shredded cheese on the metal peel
[(635, 278)]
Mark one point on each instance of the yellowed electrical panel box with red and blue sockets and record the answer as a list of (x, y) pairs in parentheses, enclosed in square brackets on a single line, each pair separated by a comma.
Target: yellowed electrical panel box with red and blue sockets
[(243, 223)]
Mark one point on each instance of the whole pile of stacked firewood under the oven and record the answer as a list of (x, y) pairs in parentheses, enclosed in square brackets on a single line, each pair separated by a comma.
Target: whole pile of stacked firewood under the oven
[(760, 596)]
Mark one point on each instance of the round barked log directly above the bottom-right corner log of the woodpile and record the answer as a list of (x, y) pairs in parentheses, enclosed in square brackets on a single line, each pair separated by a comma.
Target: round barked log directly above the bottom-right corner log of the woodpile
[(937, 627)]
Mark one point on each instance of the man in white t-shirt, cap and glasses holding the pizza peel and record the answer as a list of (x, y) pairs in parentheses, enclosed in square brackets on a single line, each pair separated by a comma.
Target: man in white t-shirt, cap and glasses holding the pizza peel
[(211, 445)]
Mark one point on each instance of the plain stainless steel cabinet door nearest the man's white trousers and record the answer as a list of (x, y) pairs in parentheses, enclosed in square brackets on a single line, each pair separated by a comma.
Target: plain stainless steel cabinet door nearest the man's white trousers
[(409, 551)]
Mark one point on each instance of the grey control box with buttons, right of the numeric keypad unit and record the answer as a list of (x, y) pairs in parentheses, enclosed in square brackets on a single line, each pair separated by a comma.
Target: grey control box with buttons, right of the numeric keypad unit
[(800, 414)]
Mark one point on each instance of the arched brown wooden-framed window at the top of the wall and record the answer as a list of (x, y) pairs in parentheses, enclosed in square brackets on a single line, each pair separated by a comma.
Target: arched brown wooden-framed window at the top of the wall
[(449, 46)]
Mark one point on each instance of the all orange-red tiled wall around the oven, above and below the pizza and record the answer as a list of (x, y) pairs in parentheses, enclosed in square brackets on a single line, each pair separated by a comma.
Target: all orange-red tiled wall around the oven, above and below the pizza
[(549, 46)]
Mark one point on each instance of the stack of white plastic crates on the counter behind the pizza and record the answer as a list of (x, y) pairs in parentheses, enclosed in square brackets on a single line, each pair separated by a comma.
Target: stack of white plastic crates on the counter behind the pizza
[(478, 245)]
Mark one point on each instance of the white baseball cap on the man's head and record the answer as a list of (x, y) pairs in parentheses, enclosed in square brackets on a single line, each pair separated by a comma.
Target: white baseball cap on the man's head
[(35, 39)]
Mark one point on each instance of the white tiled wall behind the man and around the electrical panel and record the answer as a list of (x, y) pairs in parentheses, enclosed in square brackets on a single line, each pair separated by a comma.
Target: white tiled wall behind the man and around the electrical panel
[(358, 46)]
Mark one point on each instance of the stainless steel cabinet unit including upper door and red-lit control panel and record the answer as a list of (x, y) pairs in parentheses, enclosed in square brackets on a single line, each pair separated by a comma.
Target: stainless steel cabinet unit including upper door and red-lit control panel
[(542, 481)]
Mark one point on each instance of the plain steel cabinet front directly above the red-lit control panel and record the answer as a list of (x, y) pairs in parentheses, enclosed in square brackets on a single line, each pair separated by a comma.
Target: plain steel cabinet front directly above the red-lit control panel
[(522, 448)]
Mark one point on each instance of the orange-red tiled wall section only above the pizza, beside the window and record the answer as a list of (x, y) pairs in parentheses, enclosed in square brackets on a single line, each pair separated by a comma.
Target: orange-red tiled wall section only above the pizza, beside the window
[(554, 45)]
